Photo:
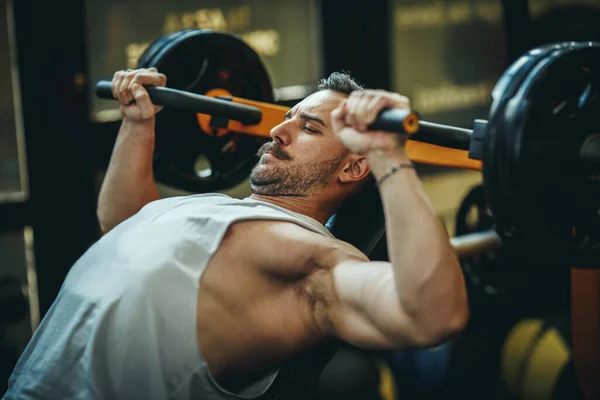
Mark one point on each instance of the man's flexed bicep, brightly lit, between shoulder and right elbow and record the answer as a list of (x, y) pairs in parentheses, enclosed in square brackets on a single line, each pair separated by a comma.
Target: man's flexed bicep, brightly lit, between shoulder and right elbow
[(367, 312)]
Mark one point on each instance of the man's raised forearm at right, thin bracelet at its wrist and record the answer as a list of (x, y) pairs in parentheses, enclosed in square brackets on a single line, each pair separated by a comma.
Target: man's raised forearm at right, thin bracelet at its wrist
[(428, 278)]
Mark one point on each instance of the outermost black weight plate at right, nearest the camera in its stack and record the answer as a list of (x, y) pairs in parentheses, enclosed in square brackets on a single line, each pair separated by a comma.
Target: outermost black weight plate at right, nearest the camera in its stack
[(560, 110)]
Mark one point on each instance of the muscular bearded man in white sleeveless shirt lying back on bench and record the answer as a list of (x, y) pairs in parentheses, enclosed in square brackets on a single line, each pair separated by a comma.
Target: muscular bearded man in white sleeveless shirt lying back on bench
[(183, 296)]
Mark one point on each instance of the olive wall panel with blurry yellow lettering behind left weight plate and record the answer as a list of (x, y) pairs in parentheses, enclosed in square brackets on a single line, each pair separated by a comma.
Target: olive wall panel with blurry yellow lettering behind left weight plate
[(284, 33)]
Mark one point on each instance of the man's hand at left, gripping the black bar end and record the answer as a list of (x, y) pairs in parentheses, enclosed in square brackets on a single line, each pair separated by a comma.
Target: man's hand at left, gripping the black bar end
[(128, 88)]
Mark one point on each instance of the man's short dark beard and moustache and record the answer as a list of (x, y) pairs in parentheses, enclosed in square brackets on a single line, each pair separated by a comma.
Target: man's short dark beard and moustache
[(282, 178)]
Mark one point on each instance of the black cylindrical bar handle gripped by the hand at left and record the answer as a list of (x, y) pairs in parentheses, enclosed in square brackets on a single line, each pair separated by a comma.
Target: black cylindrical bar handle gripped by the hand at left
[(162, 96)]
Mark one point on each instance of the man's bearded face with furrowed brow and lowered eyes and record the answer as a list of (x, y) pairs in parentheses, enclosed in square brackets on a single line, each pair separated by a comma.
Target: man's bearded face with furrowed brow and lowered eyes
[(304, 156)]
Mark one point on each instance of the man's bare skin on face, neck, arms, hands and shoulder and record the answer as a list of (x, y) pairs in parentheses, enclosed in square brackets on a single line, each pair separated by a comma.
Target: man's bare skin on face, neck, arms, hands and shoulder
[(274, 289)]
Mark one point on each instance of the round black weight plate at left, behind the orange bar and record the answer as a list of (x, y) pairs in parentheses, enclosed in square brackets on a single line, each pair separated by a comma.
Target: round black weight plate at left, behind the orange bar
[(198, 61)]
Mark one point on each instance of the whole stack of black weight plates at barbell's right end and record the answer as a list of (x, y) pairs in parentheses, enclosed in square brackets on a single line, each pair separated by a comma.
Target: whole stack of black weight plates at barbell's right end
[(546, 206)]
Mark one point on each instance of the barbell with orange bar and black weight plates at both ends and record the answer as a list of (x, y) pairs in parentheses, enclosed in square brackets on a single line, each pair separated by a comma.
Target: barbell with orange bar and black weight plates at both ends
[(539, 150)]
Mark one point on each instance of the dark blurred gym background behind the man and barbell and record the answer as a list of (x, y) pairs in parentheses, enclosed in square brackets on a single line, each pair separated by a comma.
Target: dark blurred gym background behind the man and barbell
[(446, 55)]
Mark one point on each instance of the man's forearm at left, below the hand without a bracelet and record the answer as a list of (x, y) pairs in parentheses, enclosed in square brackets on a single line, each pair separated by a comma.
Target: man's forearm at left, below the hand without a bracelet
[(129, 182)]
